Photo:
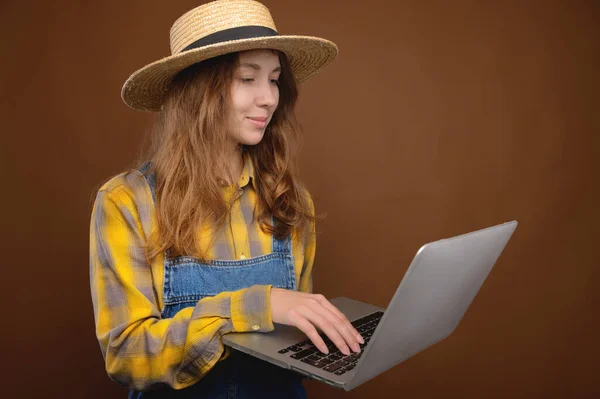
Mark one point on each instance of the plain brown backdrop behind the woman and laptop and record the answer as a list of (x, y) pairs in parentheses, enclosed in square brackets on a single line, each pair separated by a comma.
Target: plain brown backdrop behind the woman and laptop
[(435, 120)]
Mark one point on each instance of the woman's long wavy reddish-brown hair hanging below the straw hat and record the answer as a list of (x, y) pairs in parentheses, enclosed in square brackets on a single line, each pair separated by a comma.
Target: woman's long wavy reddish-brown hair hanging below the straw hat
[(188, 146)]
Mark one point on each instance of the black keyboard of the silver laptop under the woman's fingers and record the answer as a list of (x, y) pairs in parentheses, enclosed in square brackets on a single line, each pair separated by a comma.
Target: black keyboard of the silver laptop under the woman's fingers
[(335, 362)]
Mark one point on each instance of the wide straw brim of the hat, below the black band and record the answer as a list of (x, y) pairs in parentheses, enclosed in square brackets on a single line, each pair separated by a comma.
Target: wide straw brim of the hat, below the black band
[(146, 88)]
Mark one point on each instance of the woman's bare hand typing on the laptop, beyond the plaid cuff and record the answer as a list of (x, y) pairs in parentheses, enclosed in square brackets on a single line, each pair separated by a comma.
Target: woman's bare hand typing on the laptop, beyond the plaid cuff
[(307, 311)]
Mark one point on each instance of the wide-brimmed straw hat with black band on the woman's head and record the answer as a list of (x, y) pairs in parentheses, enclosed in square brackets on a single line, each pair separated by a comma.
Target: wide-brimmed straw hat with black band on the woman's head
[(221, 27)]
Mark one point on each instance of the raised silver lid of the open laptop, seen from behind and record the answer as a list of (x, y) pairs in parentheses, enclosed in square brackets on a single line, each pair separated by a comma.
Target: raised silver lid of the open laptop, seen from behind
[(432, 298)]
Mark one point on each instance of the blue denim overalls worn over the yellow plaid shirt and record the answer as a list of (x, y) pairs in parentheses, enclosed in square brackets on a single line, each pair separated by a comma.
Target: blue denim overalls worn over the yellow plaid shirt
[(187, 280)]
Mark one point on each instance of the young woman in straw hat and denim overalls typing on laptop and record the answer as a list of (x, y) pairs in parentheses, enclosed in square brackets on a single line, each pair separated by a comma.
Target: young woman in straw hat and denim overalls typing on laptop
[(214, 233)]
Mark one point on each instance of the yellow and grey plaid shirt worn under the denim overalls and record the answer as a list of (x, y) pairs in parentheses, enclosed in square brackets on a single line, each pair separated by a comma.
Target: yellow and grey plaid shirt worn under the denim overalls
[(140, 348)]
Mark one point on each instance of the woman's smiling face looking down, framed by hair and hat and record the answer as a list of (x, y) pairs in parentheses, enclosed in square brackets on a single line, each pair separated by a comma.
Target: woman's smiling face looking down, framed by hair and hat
[(254, 95)]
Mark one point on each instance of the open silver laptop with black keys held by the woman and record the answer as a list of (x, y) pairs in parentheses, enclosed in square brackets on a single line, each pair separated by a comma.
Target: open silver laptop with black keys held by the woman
[(438, 287)]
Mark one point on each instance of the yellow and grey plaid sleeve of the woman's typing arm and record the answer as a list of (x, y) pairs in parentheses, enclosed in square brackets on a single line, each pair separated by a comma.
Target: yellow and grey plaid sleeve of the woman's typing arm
[(140, 348)]
